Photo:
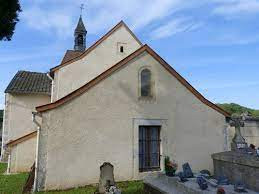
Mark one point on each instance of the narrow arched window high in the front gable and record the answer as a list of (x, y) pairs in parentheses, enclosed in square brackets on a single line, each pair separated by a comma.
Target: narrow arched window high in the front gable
[(145, 79)]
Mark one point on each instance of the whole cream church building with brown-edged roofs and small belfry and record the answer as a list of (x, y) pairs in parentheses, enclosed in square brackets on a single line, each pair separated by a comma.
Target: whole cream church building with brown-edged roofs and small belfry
[(115, 101)]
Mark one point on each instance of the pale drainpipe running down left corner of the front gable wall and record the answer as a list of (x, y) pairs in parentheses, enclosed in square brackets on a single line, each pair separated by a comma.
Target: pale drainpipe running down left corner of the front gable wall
[(34, 114)]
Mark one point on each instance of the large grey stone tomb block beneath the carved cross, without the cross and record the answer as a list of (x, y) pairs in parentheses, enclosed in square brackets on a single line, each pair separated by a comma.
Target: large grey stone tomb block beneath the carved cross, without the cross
[(237, 167)]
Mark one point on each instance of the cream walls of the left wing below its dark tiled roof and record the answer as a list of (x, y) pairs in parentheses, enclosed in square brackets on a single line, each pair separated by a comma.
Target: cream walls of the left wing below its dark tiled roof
[(17, 123)]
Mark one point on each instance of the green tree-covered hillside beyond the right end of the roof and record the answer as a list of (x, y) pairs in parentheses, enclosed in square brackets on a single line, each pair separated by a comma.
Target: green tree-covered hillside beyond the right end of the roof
[(233, 108)]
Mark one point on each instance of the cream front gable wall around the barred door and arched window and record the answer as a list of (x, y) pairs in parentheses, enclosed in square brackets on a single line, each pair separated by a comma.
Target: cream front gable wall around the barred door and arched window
[(101, 125)]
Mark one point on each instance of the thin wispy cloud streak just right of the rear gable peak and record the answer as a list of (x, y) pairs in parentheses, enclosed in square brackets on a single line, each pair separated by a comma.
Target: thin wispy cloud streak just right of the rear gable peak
[(175, 26)]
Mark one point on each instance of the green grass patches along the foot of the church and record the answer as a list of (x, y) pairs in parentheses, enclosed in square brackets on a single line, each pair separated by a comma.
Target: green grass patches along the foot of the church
[(14, 184)]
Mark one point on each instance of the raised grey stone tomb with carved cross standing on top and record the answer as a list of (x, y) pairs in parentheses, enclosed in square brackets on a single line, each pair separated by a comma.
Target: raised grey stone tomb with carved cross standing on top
[(240, 163)]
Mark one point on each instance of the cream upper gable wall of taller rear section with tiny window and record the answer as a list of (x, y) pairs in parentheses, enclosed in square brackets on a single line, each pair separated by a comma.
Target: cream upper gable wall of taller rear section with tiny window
[(72, 76)]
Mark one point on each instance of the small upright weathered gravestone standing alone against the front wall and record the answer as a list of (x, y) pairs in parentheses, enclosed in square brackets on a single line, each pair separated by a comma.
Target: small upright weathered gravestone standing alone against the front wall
[(106, 177)]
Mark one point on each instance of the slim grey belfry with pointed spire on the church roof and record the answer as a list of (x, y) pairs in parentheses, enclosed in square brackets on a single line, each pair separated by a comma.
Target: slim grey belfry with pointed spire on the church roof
[(80, 34)]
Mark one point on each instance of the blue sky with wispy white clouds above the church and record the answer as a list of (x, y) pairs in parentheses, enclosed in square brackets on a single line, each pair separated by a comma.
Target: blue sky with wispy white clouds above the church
[(214, 44)]
